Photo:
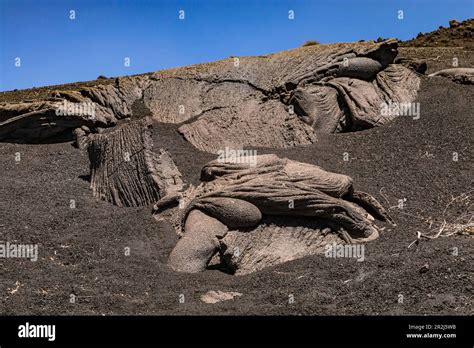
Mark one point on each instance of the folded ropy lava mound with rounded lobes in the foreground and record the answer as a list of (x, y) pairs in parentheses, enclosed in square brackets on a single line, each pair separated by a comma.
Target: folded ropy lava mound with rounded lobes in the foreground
[(275, 211)]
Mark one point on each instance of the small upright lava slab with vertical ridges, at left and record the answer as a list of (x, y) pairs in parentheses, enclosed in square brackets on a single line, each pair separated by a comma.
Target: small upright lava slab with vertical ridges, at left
[(124, 169)]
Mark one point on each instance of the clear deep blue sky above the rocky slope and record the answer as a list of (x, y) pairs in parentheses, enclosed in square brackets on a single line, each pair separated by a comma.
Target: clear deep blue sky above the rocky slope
[(55, 49)]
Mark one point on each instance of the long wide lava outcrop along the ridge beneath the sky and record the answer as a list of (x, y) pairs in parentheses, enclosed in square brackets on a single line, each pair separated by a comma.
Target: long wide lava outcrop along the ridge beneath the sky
[(278, 100)]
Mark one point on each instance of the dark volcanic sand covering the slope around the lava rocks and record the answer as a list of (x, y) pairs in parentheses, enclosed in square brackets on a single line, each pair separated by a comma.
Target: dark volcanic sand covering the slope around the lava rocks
[(81, 250)]
